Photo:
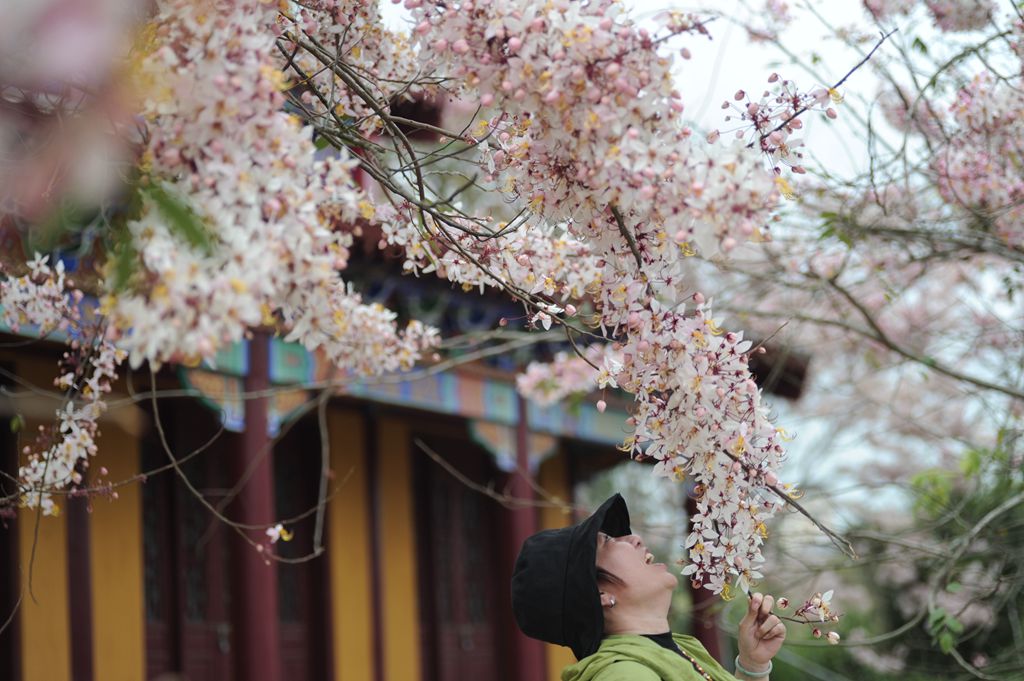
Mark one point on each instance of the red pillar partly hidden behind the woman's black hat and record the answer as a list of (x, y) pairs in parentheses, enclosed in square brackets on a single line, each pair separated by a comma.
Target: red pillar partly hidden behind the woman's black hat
[(529, 653)]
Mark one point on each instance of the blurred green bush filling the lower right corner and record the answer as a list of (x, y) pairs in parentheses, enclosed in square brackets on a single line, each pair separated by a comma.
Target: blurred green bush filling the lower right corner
[(963, 591)]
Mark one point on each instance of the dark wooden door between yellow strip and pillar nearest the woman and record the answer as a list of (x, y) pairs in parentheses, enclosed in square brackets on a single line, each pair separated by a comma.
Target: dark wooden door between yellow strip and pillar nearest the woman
[(461, 568)]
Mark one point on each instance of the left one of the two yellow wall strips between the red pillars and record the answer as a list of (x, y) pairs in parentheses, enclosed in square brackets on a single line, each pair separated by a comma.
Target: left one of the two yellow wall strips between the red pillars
[(350, 550)]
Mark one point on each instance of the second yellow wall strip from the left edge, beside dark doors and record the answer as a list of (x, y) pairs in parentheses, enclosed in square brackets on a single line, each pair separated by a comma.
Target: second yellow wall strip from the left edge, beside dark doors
[(116, 539)]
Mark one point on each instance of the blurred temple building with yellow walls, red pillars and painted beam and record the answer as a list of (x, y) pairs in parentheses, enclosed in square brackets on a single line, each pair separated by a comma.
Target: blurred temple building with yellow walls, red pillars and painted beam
[(412, 584)]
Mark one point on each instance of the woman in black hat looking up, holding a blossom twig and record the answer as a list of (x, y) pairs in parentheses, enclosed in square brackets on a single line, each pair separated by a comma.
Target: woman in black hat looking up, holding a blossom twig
[(595, 588)]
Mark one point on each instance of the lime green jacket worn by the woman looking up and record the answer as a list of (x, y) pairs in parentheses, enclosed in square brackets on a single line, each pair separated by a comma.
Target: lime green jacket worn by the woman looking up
[(633, 658)]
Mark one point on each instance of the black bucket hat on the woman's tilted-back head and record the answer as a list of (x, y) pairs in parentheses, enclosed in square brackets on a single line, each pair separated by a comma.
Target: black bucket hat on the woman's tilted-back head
[(554, 583)]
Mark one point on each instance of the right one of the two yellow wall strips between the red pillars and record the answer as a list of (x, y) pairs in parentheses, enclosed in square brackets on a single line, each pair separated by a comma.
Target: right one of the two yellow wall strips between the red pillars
[(399, 562)]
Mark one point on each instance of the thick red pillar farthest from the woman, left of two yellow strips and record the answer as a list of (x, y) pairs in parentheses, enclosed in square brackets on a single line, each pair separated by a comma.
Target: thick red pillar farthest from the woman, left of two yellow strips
[(258, 639)]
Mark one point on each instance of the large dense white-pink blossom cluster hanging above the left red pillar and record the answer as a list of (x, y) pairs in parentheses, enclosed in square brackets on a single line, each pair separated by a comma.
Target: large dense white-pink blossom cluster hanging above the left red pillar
[(276, 217)]
